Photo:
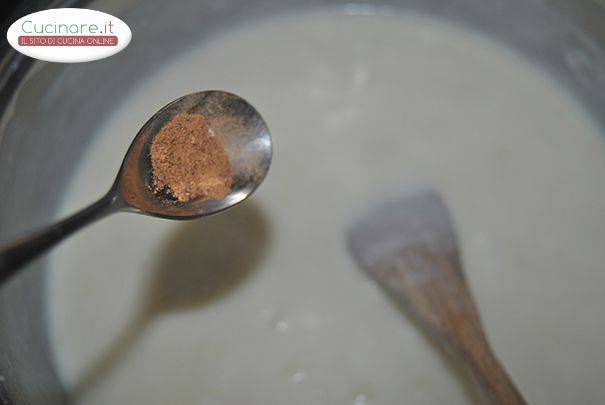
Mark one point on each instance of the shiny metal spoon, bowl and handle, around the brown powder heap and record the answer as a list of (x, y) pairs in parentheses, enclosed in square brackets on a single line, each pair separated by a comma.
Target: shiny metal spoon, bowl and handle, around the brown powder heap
[(247, 142)]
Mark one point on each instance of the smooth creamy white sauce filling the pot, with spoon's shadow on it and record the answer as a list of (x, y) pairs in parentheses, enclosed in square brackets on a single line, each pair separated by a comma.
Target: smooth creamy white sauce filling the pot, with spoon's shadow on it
[(262, 305)]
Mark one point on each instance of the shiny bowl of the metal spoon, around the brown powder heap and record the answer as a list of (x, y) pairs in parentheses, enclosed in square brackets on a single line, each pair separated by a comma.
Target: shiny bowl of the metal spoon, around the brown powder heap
[(241, 130)]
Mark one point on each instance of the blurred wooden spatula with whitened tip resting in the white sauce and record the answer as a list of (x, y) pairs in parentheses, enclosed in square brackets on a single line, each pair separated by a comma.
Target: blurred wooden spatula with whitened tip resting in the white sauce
[(408, 246)]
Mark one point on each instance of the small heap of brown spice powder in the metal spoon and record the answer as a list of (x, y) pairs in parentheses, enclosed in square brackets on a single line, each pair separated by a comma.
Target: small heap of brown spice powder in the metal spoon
[(189, 161)]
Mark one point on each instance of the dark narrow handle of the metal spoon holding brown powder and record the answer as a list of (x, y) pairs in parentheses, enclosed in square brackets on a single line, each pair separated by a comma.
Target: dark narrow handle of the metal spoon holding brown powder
[(20, 252)]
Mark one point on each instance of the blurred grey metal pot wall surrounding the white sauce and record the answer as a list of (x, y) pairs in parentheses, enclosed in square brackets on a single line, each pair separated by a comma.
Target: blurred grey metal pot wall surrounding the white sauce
[(50, 110)]
